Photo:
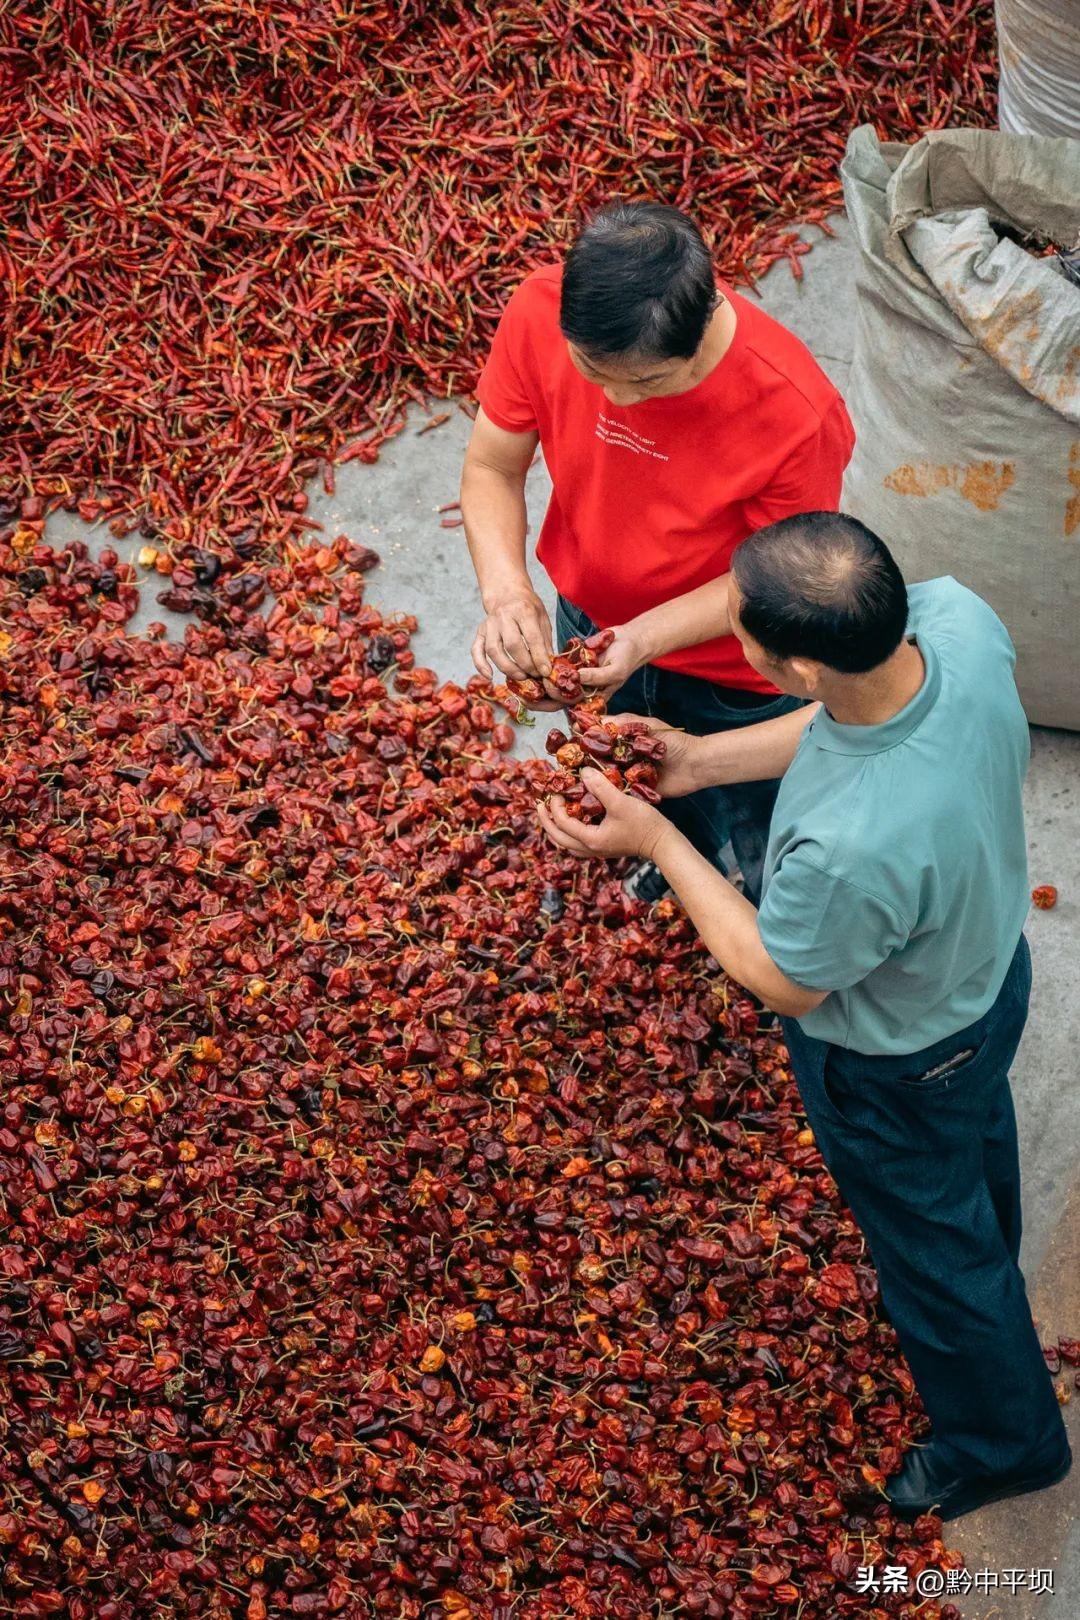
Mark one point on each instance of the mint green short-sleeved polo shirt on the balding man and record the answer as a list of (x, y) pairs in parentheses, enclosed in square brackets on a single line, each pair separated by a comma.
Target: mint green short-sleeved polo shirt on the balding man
[(896, 874)]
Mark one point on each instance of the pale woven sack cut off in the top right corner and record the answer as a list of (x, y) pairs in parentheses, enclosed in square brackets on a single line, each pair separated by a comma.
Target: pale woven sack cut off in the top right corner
[(1039, 49)]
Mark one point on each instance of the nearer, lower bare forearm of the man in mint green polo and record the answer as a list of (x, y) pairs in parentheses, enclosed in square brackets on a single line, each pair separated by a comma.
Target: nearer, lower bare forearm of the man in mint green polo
[(728, 924)]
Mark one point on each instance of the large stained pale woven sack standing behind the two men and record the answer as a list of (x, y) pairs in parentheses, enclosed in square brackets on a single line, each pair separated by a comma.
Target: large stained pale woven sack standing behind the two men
[(966, 382)]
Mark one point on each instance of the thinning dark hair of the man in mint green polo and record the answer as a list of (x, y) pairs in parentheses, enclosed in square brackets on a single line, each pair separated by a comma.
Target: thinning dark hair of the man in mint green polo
[(822, 586)]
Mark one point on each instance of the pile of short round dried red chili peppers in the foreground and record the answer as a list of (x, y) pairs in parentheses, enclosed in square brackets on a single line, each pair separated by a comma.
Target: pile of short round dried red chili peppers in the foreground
[(396, 1219)]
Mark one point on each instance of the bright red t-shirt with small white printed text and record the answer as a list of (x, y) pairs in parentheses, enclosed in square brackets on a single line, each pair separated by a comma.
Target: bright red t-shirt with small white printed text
[(652, 500)]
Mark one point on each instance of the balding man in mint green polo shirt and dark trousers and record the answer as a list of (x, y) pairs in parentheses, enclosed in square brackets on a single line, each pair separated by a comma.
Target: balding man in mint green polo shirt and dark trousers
[(890, 939)]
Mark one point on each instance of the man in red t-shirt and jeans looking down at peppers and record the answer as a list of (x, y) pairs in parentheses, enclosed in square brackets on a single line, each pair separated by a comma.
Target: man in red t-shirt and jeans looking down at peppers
[(676, 419)]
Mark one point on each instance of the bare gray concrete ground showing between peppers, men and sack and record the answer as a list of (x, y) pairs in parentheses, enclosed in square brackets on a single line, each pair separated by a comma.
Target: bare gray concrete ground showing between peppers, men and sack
[(427, 571)]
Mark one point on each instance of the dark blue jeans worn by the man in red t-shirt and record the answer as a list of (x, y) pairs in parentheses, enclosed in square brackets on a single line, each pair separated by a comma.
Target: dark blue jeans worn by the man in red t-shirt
[(715, 816)]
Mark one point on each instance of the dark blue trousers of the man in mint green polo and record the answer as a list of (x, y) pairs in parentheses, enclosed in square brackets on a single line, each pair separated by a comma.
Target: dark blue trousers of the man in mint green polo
[(930, 1169)]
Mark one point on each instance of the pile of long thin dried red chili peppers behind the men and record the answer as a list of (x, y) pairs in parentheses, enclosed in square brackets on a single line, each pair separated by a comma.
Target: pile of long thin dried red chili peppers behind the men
[(237, 239)]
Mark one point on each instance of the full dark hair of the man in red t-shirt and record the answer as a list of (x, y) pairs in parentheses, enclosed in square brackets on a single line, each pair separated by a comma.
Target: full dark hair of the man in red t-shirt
[(639, 281)]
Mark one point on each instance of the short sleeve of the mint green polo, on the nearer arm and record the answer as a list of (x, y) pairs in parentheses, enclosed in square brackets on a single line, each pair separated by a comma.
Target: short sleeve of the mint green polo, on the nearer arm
[(822, 931)]
